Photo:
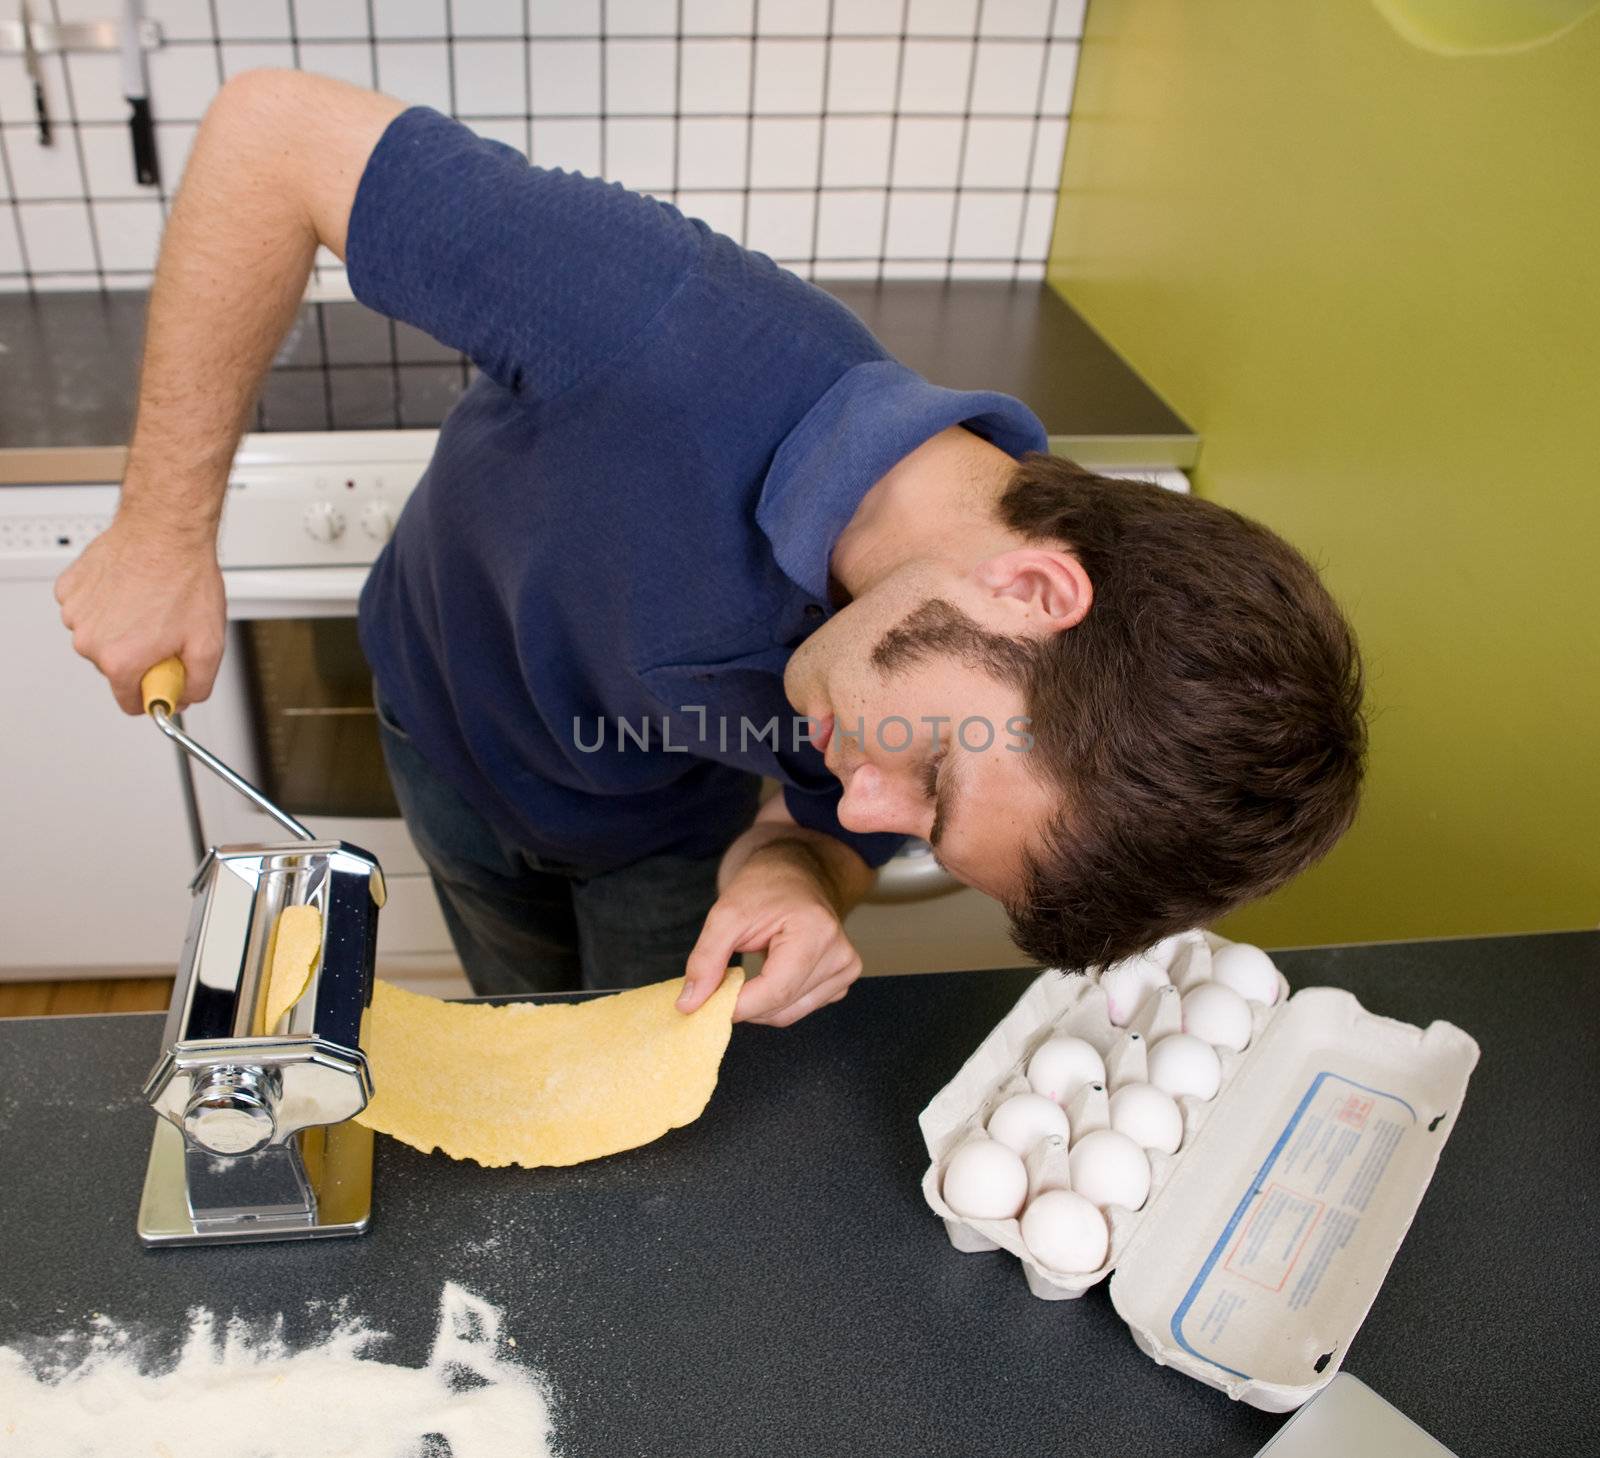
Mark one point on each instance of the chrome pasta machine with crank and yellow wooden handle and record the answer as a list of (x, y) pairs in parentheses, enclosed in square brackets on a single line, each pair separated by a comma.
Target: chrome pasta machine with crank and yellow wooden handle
[(257, 1137)]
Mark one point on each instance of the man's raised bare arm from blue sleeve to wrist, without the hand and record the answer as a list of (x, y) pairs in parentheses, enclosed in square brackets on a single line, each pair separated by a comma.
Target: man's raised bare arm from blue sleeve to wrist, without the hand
[(271, 177)]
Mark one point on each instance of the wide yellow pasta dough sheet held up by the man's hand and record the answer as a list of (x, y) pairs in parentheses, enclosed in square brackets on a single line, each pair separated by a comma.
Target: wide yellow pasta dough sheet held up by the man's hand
[(543, 1084)]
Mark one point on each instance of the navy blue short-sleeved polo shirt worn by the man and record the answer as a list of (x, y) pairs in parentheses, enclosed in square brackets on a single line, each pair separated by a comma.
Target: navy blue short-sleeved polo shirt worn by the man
[(630, 515)]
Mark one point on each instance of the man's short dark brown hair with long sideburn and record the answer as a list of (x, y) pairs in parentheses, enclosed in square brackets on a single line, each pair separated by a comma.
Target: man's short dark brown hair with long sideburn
[(1204, 721)]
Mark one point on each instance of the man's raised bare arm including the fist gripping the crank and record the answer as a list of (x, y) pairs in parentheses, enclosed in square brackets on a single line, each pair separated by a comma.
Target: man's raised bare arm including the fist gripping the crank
[(274, 174)]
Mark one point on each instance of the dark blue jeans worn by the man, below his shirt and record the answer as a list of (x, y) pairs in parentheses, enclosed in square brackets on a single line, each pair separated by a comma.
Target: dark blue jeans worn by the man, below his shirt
[(522, 924)]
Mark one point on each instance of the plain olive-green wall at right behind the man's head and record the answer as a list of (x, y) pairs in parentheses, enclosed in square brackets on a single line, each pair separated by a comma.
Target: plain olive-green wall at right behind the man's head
[(1370, 276)]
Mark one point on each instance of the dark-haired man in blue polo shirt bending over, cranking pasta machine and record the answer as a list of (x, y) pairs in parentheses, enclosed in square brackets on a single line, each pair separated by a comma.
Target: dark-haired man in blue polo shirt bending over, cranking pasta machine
[(692, 527)]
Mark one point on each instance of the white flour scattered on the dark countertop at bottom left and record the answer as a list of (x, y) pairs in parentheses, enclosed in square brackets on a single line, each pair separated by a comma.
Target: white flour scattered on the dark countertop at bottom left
[(241, 1392)]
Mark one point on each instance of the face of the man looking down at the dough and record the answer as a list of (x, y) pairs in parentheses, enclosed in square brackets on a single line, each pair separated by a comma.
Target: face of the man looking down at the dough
[(935, 747)]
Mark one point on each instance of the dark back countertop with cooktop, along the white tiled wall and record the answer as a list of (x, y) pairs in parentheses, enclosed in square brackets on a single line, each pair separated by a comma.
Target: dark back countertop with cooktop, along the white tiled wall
[(70, 369)]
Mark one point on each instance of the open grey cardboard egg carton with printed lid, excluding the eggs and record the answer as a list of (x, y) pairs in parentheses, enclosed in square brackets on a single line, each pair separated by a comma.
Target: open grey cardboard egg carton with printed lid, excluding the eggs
[(1265, 1238)]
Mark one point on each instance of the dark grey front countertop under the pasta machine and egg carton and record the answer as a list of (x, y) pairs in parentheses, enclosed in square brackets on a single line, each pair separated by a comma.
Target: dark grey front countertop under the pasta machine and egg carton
[(770, 1281)]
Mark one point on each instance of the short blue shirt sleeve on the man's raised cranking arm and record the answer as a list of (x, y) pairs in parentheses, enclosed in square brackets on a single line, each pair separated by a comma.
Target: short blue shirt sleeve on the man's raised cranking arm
[(538, 276)]
